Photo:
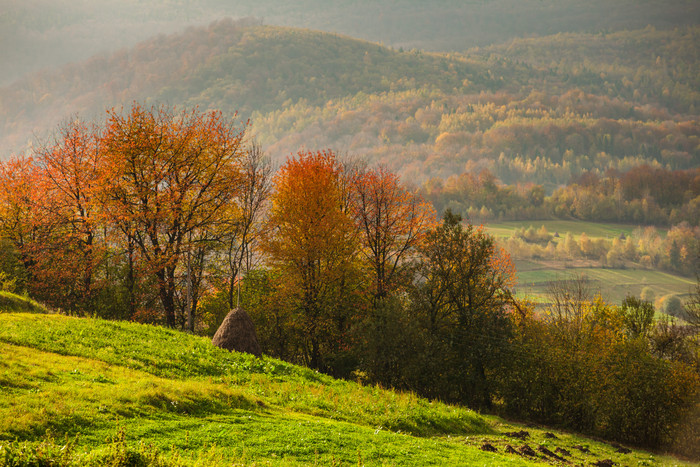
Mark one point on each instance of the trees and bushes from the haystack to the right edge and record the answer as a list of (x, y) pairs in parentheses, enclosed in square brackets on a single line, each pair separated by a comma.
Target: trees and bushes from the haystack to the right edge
[(427, 307)]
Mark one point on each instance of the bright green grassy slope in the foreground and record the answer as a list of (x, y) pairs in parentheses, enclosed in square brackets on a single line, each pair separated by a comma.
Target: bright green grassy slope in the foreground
[(80, 391)]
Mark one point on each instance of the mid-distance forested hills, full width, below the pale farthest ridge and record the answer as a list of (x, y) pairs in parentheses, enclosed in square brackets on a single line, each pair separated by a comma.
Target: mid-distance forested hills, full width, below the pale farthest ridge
[(533, 110)]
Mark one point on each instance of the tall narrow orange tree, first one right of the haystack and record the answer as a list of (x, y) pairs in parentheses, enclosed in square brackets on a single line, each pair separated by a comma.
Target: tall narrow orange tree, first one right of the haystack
[(311, 241)]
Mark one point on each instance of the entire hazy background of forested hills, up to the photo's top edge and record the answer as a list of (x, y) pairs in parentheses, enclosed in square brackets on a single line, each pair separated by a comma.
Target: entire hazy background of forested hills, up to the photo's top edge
[(529, 107)]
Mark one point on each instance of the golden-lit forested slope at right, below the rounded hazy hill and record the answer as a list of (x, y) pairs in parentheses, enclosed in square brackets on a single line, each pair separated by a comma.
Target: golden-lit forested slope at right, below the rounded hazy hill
[(535, 122)]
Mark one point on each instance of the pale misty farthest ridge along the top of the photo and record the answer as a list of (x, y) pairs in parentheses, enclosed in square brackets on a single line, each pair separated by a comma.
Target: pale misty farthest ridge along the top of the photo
[(45, 33)]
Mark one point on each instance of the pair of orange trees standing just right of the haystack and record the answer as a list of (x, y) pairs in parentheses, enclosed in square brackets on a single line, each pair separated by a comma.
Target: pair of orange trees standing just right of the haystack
[(338, 240)]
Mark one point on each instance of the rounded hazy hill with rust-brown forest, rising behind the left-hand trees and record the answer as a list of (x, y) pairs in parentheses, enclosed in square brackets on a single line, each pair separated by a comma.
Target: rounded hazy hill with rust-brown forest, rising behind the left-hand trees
[(228, 65)]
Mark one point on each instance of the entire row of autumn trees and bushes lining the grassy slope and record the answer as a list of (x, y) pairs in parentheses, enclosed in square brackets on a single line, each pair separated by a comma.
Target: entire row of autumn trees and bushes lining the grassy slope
[(156, 215)]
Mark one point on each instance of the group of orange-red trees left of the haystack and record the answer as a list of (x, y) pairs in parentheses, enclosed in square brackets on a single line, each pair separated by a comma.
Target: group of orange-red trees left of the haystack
[(124, 220)]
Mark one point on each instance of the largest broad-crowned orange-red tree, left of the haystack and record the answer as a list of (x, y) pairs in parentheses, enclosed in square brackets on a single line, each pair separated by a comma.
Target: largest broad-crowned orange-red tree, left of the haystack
[(168, 177)]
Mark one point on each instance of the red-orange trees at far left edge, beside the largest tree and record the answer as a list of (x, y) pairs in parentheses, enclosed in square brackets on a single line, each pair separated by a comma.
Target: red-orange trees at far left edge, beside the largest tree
[(50, 215)]
